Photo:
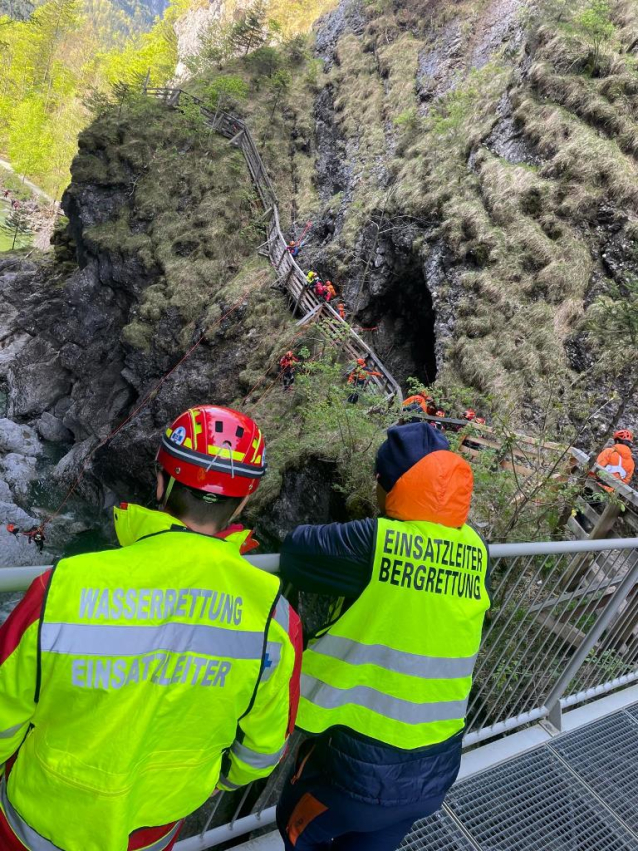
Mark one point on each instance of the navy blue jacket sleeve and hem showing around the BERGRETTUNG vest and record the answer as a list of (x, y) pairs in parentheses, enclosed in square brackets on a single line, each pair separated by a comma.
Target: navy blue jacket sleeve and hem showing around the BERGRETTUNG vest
[(337, 559)]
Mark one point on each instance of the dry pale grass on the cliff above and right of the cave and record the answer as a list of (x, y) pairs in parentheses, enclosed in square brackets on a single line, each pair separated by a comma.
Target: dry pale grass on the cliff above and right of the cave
[(521, 235)]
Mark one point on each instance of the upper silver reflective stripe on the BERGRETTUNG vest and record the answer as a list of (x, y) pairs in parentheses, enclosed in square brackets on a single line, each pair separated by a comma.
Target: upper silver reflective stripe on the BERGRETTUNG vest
[(424, 667)]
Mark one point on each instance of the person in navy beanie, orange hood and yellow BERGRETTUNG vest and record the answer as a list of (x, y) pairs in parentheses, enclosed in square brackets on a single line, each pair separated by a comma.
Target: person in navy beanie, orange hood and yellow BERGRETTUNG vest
[(385, 685)]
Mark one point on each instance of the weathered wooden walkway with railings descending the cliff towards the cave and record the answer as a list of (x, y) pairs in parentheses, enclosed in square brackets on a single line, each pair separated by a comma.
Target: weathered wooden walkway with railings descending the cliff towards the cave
[(288, 271)]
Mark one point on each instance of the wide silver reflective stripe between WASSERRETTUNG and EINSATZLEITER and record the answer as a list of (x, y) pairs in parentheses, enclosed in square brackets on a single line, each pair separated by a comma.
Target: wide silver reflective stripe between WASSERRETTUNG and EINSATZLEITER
[(100, 640)]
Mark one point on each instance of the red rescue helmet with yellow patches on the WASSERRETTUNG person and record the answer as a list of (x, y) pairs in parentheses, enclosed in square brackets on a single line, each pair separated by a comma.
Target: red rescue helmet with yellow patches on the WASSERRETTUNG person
[(215, 450)]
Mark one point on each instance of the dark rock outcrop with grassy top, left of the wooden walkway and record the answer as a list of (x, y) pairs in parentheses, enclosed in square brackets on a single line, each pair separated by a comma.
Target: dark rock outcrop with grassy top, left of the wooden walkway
[(156, 277)]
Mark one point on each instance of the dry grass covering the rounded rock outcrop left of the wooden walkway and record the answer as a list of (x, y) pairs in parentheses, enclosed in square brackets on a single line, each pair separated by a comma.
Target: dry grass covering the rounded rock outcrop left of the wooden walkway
[(191, 215)]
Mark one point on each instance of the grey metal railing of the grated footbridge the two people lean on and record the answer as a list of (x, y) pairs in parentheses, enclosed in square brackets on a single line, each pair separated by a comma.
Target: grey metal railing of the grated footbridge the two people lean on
[(563, 629)]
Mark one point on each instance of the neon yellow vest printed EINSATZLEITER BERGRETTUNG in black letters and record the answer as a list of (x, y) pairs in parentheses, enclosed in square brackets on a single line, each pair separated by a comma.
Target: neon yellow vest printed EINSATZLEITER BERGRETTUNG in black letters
[(397, 665)]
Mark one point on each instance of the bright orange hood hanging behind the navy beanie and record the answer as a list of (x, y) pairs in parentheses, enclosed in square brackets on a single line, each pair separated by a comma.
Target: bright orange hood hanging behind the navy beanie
[(437, 489)]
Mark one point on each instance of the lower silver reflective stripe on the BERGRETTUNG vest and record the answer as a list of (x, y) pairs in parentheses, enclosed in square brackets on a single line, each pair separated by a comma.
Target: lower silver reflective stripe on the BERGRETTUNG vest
[(329, 697)]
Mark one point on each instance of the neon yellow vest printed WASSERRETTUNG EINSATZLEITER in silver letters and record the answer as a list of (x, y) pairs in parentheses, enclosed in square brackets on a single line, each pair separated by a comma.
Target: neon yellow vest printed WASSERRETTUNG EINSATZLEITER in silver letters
[(149, 655)]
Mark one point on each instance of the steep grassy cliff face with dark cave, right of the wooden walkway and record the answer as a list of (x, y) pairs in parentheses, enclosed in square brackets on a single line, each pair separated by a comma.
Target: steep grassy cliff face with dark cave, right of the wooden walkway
[(460, 151)]
